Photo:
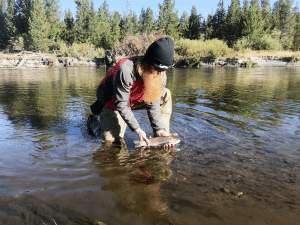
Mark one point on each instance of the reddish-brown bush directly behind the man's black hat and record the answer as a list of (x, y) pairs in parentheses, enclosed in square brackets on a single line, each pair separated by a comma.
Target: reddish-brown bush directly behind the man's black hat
[(137, 44)]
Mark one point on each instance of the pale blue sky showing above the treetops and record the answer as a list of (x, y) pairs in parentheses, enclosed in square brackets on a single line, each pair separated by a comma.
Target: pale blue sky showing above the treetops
[(203, 7)]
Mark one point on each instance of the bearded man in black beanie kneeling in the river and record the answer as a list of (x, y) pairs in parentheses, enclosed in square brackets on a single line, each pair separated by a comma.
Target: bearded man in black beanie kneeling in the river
[(136, 83)]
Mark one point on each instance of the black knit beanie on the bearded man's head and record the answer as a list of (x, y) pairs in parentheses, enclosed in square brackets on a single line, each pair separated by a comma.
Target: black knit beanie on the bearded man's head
[(160, 53)]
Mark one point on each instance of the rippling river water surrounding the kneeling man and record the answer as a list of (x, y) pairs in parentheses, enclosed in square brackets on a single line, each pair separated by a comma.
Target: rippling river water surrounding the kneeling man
[(237, 163)]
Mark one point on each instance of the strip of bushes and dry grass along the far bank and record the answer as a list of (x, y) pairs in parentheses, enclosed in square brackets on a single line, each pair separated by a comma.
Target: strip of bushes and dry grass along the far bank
[(189, 51)]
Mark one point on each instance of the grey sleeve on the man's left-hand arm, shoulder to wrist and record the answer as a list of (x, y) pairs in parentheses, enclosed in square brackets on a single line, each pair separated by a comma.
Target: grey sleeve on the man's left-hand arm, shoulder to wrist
[(121, 88)]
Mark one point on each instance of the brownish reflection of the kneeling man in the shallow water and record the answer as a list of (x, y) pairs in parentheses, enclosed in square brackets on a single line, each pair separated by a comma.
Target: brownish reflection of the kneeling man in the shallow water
[(136, 179)]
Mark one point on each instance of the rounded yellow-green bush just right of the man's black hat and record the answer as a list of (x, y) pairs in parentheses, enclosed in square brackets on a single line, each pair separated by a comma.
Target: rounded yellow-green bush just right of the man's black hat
[(197, 49)]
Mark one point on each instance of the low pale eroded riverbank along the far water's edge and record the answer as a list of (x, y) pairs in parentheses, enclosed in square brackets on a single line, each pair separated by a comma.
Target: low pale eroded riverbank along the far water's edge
[(32, 59)]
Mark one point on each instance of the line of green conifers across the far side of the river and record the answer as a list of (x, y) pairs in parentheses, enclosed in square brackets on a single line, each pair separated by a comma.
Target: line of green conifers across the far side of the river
[(40, 24)]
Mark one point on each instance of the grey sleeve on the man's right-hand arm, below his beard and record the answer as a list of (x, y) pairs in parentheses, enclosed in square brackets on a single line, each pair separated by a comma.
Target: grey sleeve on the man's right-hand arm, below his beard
[(154, 112)]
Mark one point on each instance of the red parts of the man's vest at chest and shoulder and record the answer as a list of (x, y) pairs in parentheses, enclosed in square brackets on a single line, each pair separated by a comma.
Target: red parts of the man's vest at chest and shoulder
[(137, 88)]
